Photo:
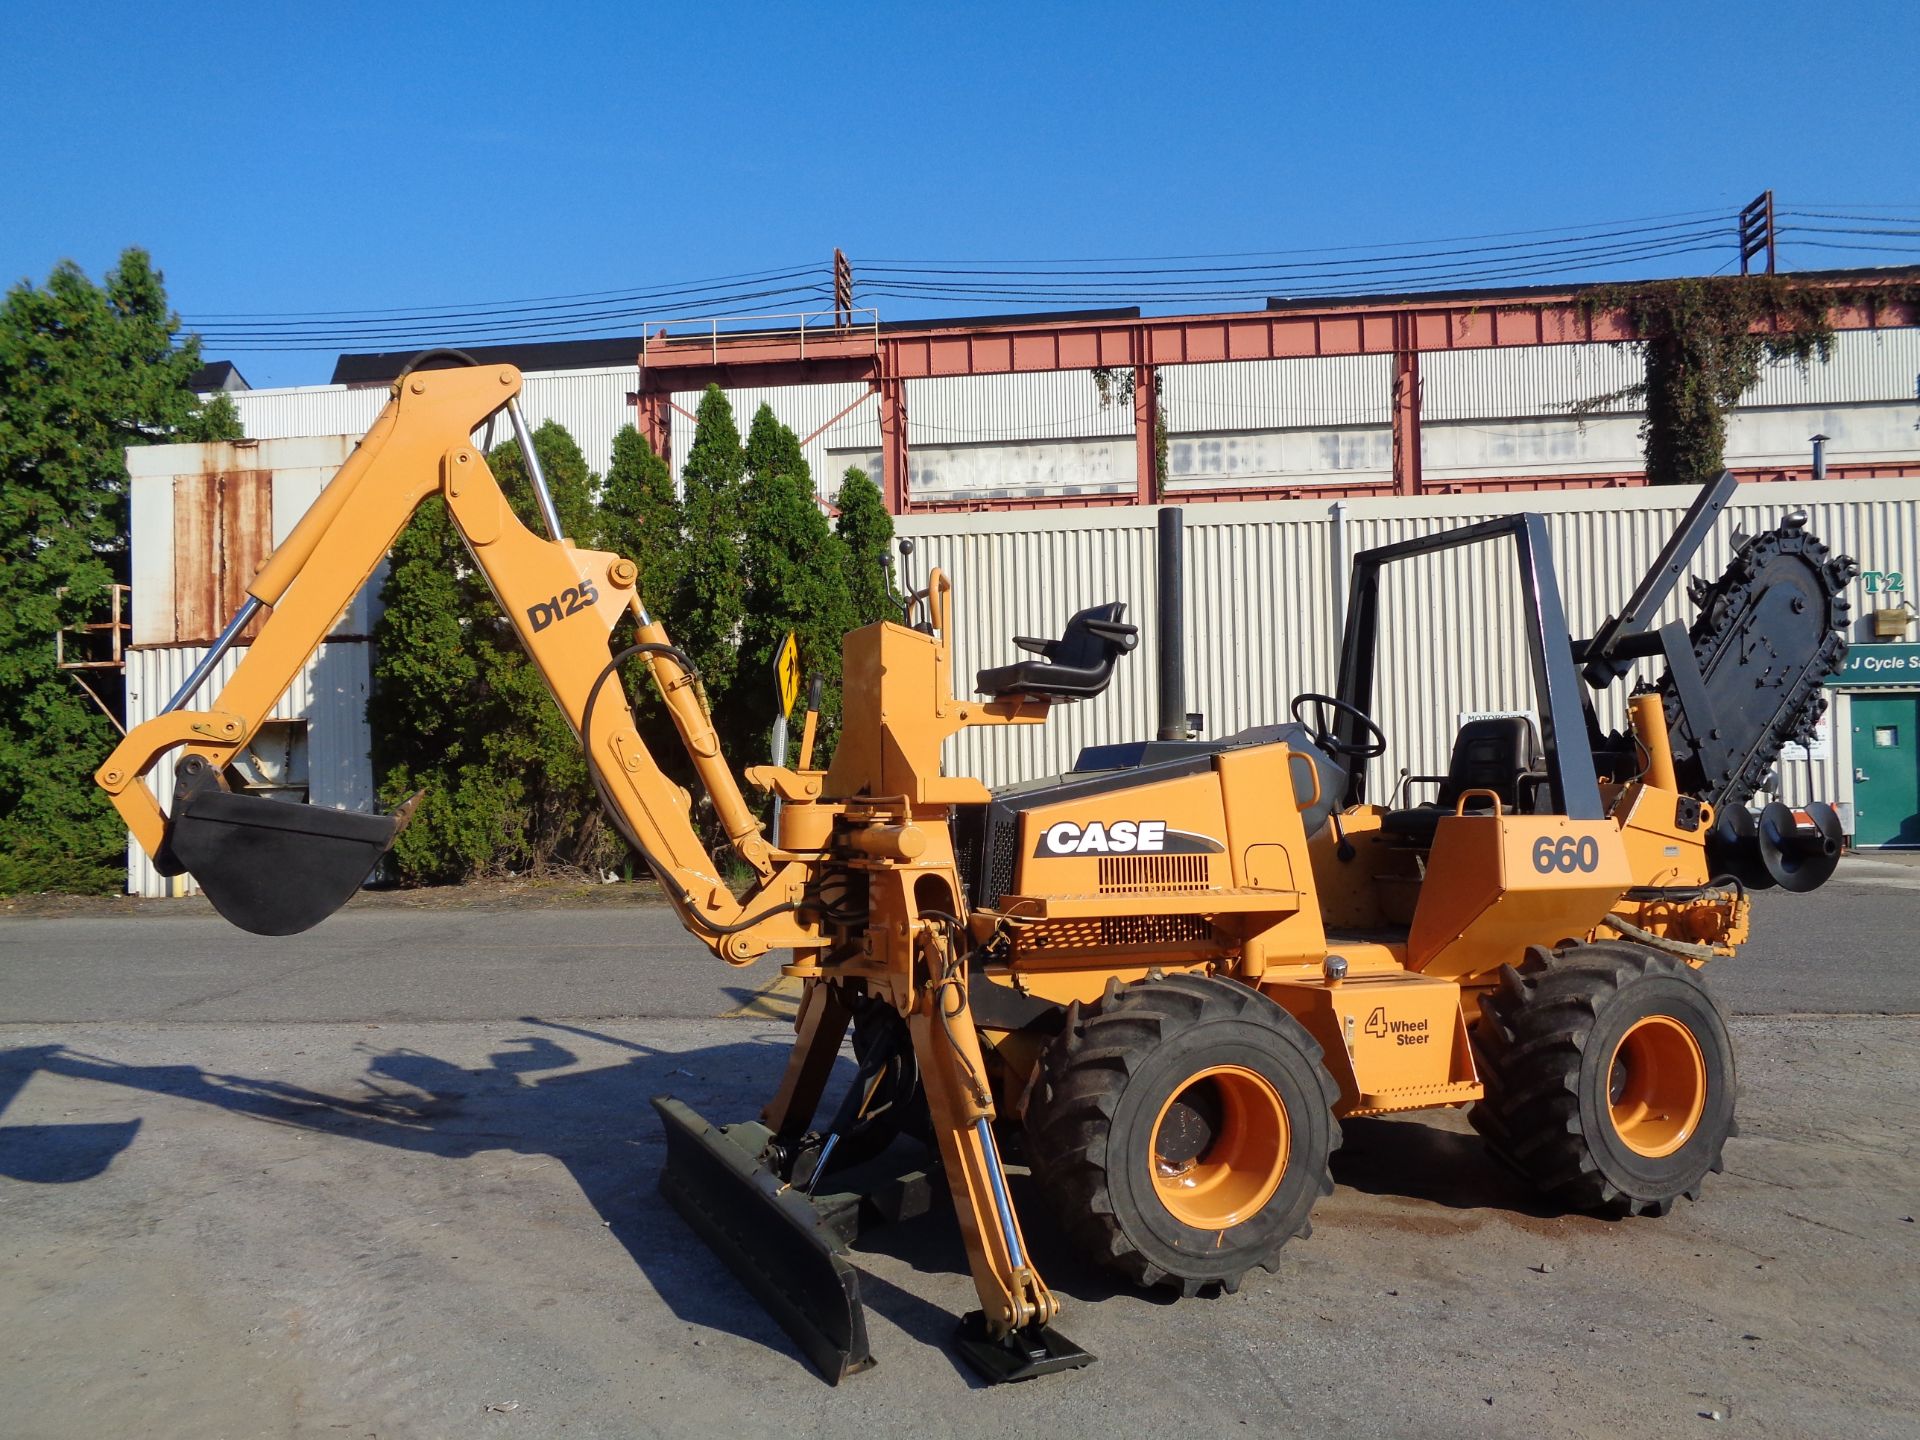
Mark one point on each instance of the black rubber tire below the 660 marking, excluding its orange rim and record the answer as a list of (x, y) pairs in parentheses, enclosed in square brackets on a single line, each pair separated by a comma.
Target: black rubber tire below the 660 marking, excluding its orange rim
[(1547, 1045)]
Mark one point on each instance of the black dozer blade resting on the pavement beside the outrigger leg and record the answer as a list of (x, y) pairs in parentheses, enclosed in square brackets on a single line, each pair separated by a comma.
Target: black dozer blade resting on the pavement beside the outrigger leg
[(771, 1237)]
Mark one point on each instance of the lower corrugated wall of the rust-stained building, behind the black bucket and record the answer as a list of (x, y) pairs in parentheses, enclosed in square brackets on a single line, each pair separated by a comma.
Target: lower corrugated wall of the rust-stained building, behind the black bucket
[(329, 694)]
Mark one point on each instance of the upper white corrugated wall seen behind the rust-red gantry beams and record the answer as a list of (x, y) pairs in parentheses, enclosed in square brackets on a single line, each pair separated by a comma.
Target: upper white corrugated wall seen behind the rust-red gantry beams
[(1257, 423)]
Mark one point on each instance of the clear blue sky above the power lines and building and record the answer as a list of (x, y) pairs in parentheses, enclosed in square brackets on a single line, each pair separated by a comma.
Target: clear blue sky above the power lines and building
[(404, 156)]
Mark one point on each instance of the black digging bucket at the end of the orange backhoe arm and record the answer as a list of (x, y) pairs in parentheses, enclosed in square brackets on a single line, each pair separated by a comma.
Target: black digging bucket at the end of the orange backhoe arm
[(274, 867)]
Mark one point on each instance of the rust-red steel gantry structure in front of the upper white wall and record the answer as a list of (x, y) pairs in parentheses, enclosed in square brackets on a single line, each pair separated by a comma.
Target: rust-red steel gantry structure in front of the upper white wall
[(886, 358)]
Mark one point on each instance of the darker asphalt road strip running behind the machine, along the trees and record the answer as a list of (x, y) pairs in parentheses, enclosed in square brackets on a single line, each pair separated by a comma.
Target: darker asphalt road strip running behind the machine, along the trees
[(1842, 949)]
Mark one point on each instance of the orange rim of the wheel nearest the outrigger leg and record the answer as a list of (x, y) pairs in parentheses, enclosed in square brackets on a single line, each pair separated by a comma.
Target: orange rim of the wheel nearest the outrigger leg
[(1220, 1147)]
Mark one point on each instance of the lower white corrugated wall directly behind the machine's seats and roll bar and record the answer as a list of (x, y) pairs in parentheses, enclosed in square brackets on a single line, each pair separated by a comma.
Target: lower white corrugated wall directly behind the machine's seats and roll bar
[(1260, 608)]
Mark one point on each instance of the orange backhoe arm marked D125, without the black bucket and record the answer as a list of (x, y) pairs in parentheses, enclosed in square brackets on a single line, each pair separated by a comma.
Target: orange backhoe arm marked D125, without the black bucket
[(562, 600)]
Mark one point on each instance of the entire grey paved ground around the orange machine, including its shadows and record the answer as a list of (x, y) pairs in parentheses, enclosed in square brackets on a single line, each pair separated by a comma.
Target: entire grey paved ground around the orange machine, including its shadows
[(398, 1178)]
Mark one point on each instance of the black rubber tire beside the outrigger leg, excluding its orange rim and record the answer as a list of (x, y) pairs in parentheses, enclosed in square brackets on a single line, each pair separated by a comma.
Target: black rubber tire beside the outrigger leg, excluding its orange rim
[(1099, 1095)]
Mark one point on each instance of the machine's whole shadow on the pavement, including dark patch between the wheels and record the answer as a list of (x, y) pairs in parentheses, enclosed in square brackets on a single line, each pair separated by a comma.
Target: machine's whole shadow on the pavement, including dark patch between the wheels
[(531, 1097)]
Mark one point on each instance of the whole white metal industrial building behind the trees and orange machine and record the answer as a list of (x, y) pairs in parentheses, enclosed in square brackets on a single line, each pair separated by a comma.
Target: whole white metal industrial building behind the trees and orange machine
[(1024, 487)]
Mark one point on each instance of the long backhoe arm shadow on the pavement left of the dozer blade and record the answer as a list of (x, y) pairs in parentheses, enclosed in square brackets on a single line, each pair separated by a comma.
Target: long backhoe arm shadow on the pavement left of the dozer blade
[(594, 1122)]
